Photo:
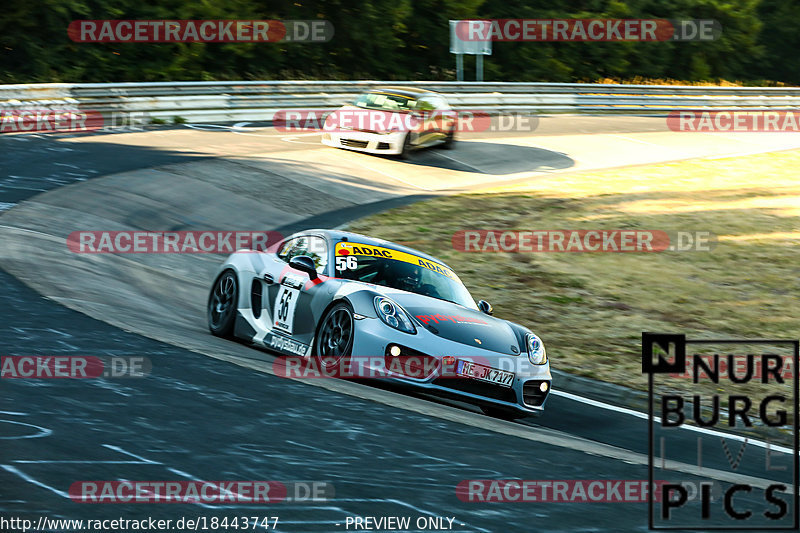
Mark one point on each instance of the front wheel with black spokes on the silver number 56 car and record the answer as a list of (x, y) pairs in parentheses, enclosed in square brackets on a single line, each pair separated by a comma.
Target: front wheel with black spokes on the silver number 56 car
[(333, 343)]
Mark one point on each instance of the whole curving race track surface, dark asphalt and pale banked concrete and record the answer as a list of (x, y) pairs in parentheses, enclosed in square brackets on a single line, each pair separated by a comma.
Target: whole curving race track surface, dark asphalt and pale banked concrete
[(214, 410)]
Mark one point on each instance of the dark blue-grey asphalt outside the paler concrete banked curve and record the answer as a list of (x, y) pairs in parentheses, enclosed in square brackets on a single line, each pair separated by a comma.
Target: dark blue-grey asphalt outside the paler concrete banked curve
[(198, 418)]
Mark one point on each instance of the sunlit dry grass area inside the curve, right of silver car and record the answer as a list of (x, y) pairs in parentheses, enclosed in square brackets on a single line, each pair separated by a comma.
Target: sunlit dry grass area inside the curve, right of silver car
[(590, 308)]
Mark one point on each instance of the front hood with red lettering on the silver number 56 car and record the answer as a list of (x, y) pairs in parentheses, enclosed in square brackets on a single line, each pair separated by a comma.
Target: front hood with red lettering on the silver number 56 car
[(460, 324)]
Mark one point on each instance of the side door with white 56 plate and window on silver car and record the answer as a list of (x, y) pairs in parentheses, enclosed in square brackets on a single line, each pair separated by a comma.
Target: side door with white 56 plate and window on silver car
[(292, 294)]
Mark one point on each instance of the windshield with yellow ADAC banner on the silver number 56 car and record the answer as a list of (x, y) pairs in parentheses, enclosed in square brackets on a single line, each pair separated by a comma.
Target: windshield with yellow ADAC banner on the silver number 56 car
[(400, 270)]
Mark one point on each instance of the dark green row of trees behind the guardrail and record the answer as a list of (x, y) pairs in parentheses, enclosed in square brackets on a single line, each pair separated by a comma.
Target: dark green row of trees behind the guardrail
[(400, 40)]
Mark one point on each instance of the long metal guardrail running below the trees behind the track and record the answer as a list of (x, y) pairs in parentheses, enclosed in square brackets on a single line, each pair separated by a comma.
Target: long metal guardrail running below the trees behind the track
[(259, 100)]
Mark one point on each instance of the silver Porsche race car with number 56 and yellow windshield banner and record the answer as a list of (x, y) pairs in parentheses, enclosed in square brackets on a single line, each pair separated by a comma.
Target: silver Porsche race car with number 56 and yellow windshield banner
[(336, 300)]
